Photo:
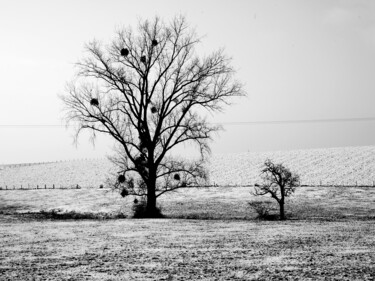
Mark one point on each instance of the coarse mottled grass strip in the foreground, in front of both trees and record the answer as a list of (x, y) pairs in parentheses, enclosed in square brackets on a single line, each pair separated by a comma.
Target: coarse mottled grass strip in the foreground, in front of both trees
[(170, 249)]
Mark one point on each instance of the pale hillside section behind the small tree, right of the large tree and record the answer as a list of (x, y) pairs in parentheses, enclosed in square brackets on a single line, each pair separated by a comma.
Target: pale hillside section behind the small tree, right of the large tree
[(330, 166)]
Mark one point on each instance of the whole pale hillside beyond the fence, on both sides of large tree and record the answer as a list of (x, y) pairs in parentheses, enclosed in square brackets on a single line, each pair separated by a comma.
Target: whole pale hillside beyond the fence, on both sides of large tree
[(331, 166)]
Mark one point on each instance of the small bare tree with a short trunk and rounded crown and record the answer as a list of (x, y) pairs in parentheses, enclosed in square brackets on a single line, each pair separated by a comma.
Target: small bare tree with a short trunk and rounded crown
[(279, 182)]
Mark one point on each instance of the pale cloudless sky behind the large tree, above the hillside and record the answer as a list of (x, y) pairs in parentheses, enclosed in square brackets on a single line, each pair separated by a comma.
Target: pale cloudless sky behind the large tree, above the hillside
[(299, 60)]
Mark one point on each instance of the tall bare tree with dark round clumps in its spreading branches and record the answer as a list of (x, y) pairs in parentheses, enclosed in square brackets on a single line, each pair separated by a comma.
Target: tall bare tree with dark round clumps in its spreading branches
[(146, 90)]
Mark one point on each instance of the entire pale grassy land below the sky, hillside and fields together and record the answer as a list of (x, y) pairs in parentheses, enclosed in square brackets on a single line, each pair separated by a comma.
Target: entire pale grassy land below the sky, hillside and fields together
[(208, 233)]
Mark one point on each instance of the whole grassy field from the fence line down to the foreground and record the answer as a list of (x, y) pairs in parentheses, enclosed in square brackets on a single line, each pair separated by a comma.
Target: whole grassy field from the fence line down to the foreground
[(209, 234)]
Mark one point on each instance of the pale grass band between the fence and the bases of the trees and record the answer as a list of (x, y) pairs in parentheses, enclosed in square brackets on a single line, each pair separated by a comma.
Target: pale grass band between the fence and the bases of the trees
[(203, 203)]
